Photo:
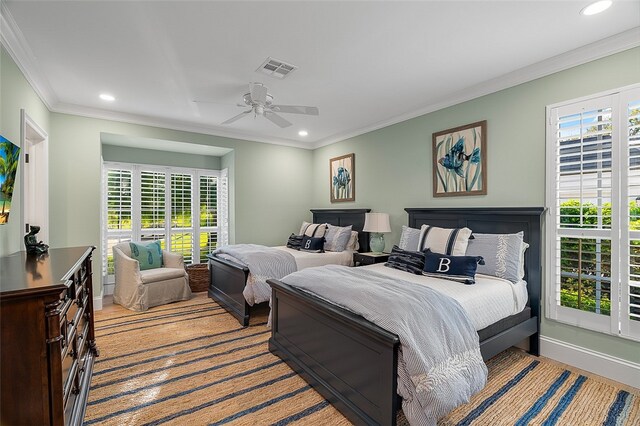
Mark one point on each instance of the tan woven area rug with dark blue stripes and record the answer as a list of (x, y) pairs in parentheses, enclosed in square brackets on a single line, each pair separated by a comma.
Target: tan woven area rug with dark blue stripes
[(190, 363)]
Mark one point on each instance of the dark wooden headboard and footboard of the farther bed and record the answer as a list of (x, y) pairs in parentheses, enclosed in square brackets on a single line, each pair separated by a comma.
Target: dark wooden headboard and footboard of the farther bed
[(227, 279)]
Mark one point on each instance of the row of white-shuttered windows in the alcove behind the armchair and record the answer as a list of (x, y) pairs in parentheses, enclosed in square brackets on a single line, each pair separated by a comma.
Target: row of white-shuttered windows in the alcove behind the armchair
[(180, 207)]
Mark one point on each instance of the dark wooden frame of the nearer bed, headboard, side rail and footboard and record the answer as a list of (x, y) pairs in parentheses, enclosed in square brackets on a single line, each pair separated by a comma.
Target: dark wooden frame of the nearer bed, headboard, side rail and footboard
[(353, 362)]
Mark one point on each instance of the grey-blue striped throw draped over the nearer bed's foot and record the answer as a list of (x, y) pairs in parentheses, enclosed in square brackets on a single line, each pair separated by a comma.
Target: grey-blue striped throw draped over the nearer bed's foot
[(439, 364)]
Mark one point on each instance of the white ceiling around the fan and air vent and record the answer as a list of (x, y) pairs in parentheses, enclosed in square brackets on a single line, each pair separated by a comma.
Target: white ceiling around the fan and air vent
[(363, 64)]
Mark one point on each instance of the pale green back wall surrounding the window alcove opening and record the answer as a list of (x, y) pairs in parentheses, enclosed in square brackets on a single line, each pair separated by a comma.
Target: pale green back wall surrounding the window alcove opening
[(269, 204)]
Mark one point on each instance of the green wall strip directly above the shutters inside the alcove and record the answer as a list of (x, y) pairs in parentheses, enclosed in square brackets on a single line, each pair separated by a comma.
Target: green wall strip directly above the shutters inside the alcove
[(124, 154)]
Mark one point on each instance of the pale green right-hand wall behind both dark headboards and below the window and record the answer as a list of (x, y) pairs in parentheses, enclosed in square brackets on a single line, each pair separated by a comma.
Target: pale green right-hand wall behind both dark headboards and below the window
[(393, 164)]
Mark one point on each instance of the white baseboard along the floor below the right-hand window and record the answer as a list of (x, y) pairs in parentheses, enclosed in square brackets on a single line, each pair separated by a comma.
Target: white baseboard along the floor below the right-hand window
[(608, 366)]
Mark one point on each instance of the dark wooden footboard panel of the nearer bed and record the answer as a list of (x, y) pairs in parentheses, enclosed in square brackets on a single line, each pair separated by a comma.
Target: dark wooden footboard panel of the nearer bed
[(348, 360)]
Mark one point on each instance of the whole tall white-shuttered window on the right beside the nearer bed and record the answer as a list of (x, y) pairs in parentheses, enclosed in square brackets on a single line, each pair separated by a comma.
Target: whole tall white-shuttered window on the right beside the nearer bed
[(593, 197)]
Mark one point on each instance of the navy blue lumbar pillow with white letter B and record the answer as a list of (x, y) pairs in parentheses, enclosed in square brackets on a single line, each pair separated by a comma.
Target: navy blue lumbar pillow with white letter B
[(456, 268)]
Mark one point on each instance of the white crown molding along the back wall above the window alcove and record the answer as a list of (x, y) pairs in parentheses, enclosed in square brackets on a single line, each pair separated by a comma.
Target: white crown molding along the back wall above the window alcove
[(168, 124)]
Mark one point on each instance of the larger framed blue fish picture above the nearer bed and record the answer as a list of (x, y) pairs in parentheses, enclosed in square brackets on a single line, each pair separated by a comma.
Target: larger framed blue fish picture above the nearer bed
[(460, 160)]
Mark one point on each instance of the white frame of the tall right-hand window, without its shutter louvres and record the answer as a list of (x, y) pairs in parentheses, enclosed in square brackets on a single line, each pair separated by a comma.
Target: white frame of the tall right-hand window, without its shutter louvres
[(619, 232)]
